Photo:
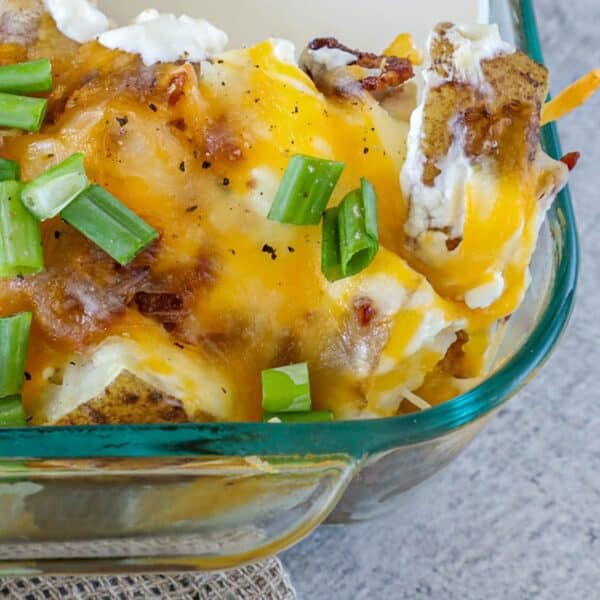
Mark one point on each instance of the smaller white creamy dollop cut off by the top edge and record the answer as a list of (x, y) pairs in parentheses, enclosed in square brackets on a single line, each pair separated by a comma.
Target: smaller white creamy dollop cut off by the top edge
[(79, 20)]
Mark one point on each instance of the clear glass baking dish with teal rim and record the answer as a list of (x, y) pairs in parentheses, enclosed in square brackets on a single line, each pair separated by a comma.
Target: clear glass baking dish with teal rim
[(208, 496)]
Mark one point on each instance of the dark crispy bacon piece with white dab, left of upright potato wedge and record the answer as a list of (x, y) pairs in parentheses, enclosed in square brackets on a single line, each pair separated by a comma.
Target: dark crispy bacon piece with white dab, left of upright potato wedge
[(391, 71)]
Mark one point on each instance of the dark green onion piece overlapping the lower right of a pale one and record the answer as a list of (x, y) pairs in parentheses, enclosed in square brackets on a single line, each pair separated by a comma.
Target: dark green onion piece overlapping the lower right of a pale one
[(109, 224)]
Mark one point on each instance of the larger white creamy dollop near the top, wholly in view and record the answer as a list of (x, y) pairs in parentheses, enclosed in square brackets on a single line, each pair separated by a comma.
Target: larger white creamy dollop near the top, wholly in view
[(160, 37)]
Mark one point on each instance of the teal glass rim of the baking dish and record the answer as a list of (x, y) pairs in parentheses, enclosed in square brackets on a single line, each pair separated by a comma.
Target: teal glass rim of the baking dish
[(355, 438)]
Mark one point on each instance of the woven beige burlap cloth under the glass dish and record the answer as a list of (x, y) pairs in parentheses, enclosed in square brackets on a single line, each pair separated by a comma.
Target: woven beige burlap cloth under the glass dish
[(263, 581)]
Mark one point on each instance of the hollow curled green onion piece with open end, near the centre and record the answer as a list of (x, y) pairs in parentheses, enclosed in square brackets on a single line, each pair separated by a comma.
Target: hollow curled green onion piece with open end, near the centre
[(350, 236)]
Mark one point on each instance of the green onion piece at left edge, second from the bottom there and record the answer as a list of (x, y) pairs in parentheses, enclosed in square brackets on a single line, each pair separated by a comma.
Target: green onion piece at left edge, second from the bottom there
[(14, 341)]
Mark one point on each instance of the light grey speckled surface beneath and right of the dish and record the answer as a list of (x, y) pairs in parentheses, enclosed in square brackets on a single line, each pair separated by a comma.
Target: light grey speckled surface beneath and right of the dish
[(518, 514)]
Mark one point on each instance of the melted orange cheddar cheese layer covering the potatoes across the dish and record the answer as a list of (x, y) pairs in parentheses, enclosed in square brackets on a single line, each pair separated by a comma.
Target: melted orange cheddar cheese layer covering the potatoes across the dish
[(198, 151)]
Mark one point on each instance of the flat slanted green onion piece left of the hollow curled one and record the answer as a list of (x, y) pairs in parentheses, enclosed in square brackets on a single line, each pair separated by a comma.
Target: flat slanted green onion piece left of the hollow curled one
[(305, 190)]
